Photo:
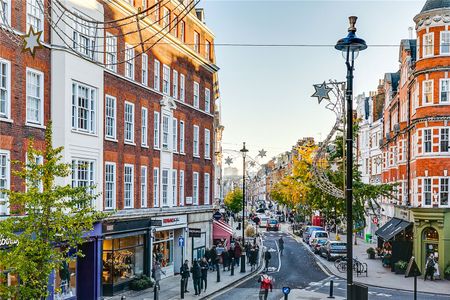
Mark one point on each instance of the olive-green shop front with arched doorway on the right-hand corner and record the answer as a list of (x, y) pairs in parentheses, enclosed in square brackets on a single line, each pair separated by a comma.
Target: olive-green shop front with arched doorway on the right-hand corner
[(432, 235)]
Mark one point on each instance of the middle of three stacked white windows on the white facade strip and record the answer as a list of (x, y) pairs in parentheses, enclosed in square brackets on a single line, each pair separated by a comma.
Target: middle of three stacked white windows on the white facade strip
[(84, 106)]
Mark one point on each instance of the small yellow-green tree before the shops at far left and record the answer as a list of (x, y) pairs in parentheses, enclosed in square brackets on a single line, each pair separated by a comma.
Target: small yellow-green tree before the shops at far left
[(50, 223)]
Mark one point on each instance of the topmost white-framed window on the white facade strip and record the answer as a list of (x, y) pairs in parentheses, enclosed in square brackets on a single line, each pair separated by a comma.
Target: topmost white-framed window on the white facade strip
[(84, 38)]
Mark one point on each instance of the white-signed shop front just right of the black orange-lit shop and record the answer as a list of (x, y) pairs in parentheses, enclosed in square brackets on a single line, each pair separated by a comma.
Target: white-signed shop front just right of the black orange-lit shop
[(165, 247)]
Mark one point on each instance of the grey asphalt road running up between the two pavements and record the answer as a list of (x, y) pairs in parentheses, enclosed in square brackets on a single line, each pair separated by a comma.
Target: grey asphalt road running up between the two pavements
[(298, 269)]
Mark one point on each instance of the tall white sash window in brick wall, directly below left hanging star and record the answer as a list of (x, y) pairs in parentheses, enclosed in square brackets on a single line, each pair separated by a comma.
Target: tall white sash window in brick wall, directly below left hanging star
[(35, 97)]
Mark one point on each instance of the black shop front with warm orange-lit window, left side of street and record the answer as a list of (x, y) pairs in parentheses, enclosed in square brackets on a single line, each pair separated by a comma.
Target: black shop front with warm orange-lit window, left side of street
[(125, 254)]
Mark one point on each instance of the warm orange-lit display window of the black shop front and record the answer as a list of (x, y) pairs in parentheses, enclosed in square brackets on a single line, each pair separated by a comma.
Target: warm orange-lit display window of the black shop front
[(123, 259)]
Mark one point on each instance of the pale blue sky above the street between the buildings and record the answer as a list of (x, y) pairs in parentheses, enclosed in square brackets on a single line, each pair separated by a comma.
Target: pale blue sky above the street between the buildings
[(266, 91)]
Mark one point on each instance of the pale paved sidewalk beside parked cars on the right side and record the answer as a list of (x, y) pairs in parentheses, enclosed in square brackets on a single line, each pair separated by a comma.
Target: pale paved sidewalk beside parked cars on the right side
[(383, 277)]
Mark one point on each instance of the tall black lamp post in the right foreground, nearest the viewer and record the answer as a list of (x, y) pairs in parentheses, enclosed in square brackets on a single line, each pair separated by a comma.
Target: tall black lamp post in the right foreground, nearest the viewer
[(350, 47)]
